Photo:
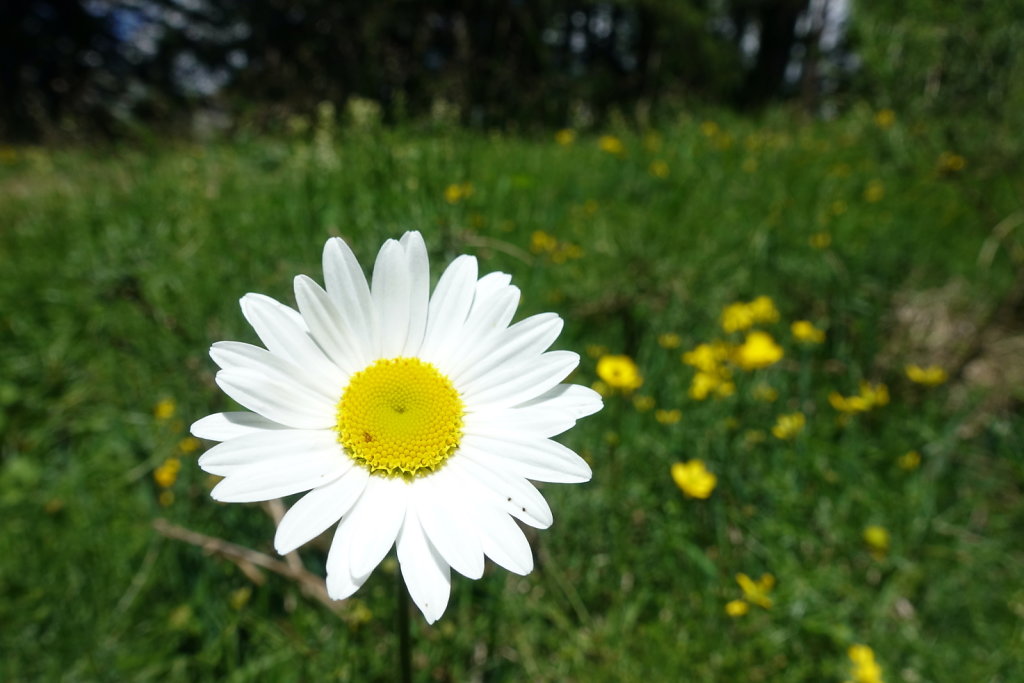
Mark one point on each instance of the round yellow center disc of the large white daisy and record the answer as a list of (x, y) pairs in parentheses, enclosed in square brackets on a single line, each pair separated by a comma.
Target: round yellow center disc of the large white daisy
[(400, 417)]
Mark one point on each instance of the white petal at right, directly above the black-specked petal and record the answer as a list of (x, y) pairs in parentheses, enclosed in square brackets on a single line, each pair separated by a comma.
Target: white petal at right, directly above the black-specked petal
[(538, 459)]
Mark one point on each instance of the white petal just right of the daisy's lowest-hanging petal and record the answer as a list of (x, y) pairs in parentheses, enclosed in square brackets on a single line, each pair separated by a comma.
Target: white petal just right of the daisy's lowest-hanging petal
[(444, 520)]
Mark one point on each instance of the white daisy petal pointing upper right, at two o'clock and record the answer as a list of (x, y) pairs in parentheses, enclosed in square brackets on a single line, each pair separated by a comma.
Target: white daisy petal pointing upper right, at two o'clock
[(522, 344)]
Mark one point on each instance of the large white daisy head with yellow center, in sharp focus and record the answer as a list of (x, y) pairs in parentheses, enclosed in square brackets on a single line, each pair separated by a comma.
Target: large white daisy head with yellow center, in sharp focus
[(413, 419)]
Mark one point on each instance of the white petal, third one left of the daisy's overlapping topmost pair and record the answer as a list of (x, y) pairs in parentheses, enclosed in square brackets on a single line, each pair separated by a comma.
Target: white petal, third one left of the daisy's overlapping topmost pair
[(287, 336)]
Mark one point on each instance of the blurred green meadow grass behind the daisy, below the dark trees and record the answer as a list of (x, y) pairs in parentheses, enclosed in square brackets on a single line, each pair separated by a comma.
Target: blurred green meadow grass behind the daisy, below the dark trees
[(123, 266)]
